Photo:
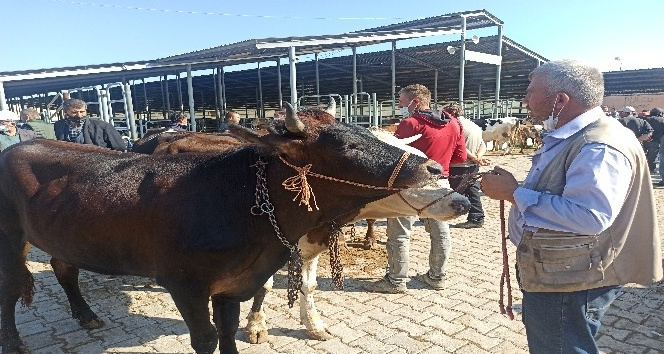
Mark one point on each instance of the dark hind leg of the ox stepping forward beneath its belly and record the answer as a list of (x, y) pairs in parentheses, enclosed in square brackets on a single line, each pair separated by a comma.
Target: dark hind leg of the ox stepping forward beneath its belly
[(67, 276)]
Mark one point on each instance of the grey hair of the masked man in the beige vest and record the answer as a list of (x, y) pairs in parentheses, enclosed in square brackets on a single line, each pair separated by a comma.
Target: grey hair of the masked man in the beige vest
[(582, 82)]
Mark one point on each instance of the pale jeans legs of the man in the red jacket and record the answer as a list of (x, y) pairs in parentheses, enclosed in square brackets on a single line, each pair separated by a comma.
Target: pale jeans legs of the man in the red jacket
[(398, 246)]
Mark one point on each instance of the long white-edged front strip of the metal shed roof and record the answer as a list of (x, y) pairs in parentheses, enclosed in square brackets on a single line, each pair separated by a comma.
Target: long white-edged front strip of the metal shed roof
[(29, 82)]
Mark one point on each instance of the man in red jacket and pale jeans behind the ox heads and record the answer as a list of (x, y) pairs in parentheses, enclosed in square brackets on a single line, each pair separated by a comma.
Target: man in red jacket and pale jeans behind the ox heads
[(442, 141)]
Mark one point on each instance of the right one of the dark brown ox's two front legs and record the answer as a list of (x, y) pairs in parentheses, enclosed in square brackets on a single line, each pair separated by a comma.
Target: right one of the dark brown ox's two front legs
[(226, 316)]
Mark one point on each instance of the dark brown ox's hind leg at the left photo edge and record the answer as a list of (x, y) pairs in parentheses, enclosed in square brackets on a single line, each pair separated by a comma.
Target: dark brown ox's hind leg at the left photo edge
[(16, 282)]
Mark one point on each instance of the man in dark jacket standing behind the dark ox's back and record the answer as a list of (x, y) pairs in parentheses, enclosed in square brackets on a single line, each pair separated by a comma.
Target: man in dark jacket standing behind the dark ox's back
[(78, 128)]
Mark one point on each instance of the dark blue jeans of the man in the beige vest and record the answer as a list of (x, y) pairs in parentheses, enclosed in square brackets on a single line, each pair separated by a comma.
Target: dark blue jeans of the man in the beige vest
[(565, 322)]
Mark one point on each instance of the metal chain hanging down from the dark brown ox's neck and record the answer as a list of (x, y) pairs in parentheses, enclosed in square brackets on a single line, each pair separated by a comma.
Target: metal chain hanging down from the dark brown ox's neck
[(264, 206)]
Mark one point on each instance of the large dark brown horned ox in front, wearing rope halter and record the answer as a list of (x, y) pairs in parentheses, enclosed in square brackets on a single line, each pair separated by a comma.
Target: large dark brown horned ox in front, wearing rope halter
[(186, 219)]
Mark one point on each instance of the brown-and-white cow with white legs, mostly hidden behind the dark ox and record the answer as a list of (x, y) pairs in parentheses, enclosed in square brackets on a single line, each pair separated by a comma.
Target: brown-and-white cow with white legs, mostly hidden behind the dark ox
[(430, 201)]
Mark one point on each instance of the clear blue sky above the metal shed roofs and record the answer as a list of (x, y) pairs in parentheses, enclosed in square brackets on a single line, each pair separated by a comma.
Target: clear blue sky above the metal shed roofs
[(56, 33)]
